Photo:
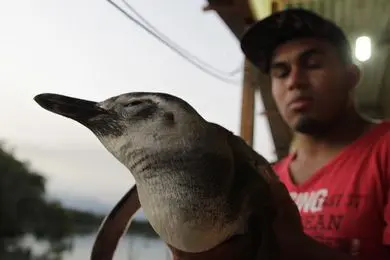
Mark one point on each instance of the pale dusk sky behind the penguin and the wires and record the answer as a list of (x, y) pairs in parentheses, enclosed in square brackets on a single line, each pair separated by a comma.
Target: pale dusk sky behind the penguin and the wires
[(88, 49)]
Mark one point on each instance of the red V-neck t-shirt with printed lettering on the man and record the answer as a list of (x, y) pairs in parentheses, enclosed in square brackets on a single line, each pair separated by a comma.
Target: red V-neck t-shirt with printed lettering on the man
[(346, 203)]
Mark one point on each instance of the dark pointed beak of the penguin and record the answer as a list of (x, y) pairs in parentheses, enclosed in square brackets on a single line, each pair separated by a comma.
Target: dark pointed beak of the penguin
[(79, 110)]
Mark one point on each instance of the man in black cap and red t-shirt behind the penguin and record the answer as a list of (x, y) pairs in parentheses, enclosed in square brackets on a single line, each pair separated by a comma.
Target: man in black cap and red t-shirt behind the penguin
[(339, 174)]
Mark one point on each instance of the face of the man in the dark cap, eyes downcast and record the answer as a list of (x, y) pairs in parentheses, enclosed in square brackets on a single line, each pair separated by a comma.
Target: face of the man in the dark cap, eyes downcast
[(310, 85)]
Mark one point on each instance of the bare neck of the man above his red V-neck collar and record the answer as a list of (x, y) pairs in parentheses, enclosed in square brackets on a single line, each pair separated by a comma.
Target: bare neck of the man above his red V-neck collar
[(340, 135)]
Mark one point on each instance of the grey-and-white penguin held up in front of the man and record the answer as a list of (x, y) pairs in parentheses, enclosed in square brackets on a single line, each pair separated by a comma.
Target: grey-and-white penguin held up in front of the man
[(198, 184)]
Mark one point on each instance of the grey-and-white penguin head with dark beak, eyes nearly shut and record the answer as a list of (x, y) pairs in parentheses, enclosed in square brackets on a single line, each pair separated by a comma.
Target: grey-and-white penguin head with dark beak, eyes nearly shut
[(129, 121)]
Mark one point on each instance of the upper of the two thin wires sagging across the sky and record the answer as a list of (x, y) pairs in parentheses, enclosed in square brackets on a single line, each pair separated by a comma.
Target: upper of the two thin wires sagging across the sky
[(165, 38)]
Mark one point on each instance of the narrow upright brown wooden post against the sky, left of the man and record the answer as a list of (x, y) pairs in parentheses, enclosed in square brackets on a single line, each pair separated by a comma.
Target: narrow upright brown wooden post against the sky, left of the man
[(248, 104)]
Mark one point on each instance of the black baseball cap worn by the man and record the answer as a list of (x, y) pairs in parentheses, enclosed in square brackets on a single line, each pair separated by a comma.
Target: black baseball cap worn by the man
[(260, 41)]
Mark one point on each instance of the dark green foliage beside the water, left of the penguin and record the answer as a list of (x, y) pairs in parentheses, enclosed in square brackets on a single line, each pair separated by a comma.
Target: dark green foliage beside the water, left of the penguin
[(25, 211)]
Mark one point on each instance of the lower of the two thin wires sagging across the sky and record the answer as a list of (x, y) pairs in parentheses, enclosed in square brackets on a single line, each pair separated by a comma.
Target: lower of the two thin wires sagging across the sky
[(169, 45)]
